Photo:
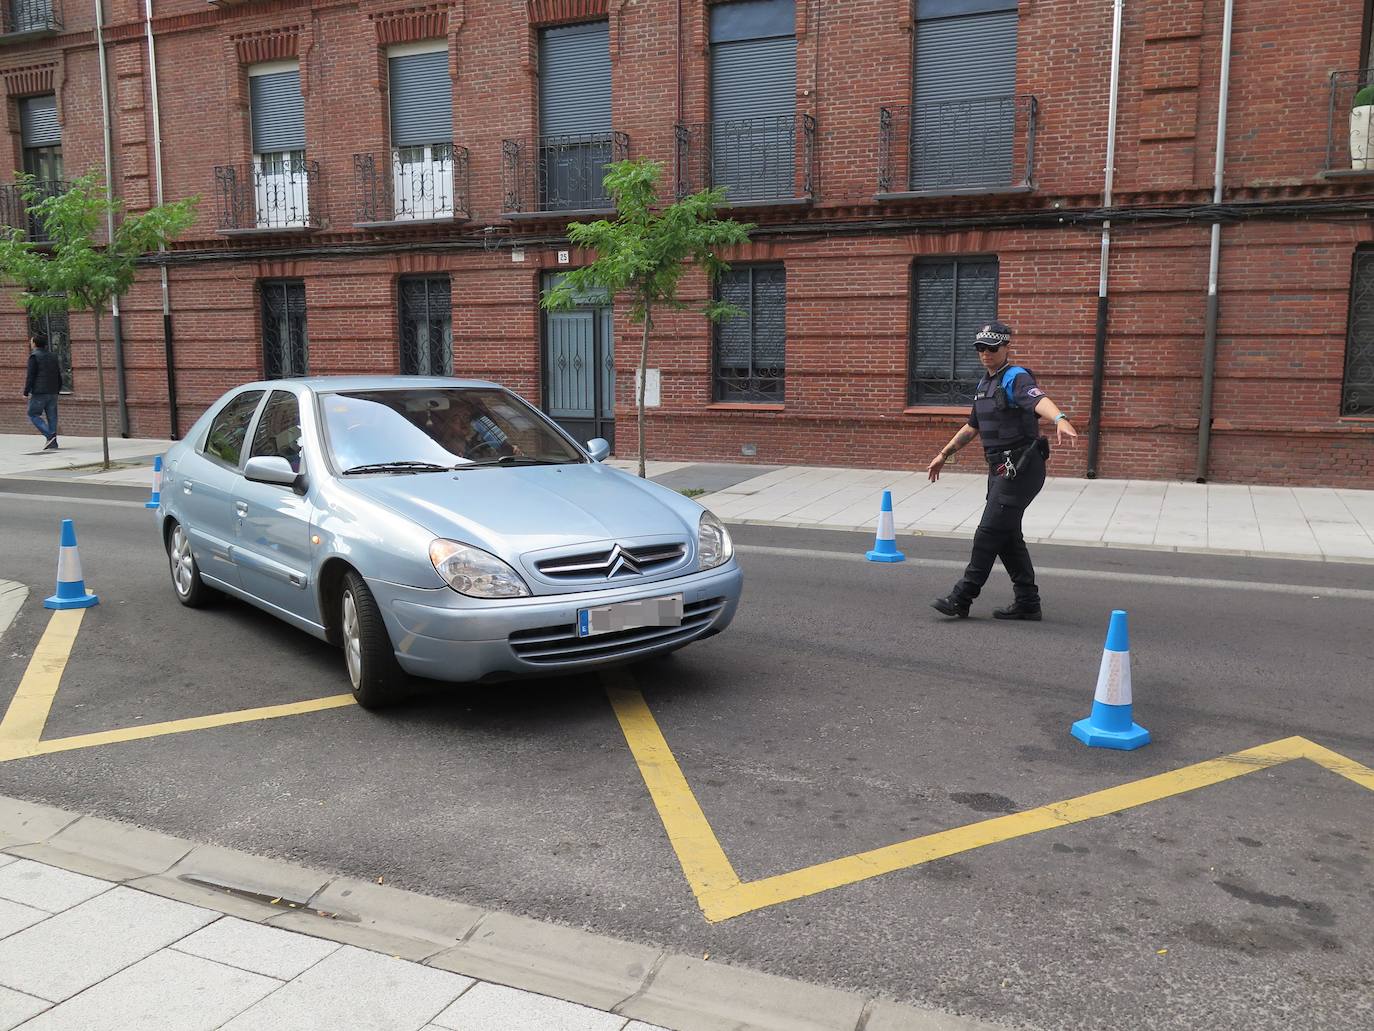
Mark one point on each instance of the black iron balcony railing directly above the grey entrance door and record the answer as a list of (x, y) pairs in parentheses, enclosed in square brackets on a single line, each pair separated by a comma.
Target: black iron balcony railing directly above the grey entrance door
[(560, 174)]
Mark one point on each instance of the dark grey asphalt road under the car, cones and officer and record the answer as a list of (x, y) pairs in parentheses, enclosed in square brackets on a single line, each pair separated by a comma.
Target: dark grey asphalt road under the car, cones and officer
[(839, 714)]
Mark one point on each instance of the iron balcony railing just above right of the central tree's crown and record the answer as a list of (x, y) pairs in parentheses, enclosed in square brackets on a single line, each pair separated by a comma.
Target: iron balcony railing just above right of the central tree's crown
[(766, 160)]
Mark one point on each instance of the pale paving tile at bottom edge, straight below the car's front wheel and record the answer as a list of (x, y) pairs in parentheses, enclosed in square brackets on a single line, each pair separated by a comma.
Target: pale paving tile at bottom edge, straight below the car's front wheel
[(357, 990)]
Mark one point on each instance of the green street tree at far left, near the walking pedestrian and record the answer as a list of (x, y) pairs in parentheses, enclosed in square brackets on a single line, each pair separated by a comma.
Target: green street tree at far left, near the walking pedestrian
[(75, 267)]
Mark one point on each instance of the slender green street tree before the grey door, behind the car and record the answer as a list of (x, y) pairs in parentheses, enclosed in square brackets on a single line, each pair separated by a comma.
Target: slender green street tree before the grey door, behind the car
[(645, 251)]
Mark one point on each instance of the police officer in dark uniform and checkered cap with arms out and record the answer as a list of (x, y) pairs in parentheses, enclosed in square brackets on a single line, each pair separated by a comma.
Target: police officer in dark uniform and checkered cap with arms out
[(1006, 412)]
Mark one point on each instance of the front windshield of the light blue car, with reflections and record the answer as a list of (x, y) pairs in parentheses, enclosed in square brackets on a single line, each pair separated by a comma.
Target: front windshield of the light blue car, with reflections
[(438, 430)]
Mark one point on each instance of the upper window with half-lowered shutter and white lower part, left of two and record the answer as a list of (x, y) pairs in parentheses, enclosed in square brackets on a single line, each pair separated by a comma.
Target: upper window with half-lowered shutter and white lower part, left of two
[(281, 175)]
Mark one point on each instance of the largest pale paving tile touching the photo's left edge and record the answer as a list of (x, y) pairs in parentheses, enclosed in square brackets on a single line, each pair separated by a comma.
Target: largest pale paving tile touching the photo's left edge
[(54, 960)]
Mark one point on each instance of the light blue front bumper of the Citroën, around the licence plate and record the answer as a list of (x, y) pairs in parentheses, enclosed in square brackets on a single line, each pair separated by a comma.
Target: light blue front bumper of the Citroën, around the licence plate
[(447, 637)]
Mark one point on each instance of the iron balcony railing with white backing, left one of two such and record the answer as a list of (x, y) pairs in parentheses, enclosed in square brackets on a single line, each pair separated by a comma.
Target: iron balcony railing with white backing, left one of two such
[(275, 192)]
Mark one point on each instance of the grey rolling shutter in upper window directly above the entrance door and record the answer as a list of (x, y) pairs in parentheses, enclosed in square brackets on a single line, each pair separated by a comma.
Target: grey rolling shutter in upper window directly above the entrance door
[(575, 80)]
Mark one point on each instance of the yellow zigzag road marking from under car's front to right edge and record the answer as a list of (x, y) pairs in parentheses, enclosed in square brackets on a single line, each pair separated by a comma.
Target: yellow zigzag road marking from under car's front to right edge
[(722, 896)]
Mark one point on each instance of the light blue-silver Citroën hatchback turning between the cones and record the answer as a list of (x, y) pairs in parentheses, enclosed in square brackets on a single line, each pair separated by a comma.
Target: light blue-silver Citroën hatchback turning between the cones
[(444, 529)]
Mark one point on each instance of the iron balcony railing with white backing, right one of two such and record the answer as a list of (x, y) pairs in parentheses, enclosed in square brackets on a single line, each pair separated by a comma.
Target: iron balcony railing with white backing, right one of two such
[(412, 185)]
